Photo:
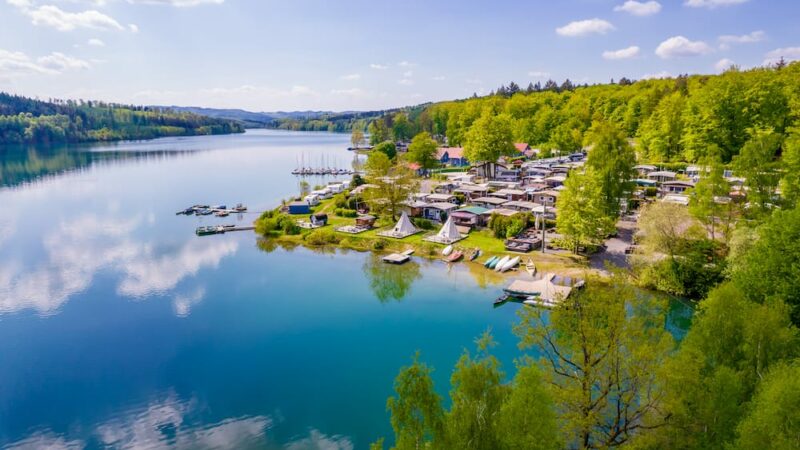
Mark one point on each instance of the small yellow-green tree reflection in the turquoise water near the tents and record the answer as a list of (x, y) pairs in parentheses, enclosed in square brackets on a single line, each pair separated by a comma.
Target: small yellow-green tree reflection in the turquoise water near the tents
[(390, 281)]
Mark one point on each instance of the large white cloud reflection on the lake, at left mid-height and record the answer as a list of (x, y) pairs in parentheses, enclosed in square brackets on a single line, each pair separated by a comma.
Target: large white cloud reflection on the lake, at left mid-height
[(78, 249)]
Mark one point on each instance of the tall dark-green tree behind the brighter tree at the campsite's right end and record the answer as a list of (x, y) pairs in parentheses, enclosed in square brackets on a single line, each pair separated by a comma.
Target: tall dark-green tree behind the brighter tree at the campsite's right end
[(612, 158)]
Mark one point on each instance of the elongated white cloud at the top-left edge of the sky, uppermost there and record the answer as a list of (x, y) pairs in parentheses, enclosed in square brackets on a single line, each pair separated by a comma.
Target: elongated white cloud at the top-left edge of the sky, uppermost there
[(55, 17)]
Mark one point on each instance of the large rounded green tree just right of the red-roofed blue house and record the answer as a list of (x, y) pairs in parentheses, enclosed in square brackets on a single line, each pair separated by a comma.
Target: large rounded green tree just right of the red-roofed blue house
[(488, 139)]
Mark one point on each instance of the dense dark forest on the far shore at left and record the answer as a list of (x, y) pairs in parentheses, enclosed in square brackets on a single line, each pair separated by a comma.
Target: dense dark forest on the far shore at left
[(29, 121)]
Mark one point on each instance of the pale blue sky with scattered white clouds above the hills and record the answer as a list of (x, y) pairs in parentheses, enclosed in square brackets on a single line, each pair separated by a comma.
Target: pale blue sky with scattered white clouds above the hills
[(267, 55)]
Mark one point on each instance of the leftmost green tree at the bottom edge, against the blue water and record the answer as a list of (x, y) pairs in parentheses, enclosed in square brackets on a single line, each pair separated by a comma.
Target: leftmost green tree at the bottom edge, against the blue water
[(416, 411)]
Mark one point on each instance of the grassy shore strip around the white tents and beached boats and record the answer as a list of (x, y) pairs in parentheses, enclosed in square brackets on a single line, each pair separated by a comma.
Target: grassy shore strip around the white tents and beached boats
[(561, 262)]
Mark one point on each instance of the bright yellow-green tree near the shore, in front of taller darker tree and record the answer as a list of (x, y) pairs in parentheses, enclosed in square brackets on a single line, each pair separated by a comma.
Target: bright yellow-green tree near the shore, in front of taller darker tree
[(582, 218)]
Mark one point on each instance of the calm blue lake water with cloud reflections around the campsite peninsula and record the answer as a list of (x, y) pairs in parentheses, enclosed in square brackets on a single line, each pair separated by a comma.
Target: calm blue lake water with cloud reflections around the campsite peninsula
[(120, 328)]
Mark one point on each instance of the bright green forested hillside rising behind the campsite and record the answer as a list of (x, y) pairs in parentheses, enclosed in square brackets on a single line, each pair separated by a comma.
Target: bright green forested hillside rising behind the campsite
[(673, 119)]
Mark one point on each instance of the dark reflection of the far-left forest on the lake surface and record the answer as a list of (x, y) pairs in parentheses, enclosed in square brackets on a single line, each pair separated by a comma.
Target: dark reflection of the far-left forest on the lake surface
[(22, 165)]
